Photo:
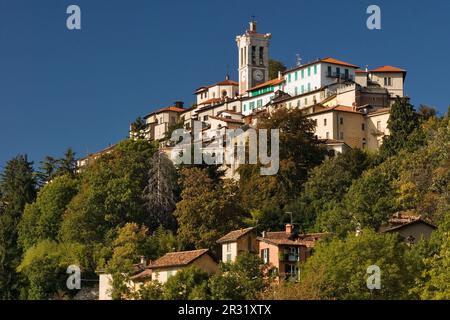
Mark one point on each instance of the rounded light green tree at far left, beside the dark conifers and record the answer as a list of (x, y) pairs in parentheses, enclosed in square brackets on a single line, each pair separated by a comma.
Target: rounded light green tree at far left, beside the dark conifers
[(42, 219)]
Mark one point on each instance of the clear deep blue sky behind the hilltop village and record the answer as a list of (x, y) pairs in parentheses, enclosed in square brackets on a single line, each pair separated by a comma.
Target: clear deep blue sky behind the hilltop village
[(81, 89)]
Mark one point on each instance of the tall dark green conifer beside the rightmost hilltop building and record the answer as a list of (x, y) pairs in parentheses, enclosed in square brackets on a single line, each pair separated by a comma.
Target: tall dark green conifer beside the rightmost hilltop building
[(403, 121)]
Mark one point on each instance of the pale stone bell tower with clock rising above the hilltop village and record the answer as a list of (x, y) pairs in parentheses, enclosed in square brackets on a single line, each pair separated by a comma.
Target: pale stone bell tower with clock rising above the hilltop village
[(253, 58)]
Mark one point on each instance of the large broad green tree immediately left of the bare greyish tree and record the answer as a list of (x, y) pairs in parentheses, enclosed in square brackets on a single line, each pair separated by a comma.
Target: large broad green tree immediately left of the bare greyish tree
[(110, 193)]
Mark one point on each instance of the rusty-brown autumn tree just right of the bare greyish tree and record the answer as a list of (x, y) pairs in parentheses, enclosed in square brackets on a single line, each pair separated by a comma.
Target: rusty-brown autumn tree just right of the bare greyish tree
[(207, 210)]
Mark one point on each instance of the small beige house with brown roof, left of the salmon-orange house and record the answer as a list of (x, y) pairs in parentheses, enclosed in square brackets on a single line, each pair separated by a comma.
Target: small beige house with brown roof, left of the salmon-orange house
[(237, 242)]
